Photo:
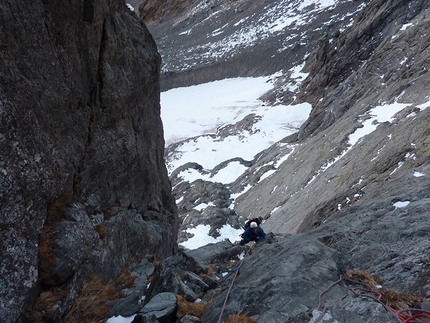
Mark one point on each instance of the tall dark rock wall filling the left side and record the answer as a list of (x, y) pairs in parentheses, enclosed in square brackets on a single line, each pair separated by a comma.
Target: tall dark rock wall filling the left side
[(83, 185)]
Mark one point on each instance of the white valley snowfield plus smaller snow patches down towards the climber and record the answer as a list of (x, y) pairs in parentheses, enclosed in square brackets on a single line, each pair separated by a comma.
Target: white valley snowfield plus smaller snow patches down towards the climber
[(187, 113)]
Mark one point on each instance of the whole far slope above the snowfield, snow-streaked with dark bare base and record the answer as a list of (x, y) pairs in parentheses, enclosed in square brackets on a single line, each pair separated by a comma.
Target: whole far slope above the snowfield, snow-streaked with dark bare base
[(212, 40)]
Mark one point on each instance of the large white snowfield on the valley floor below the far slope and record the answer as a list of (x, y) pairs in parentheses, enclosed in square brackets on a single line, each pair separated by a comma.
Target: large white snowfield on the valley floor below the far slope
[(187, 113)]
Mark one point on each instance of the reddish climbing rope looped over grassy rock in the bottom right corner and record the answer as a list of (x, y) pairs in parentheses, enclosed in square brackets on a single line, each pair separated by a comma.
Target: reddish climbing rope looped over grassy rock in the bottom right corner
[(402, 316)]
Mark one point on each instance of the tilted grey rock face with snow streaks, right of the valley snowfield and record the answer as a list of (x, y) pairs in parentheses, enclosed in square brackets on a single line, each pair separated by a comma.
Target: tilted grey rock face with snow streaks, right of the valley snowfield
[(395, 73)]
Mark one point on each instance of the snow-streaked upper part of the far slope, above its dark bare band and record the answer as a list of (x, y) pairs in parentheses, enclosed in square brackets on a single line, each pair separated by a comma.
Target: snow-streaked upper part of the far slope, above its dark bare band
[(217, 30)]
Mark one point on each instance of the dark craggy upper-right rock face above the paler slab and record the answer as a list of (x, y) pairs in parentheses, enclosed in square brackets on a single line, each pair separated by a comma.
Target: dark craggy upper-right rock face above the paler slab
[(347, 65)]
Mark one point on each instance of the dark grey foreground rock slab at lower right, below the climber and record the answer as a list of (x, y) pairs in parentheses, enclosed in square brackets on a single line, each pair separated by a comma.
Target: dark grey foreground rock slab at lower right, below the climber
[(283, 278)]
